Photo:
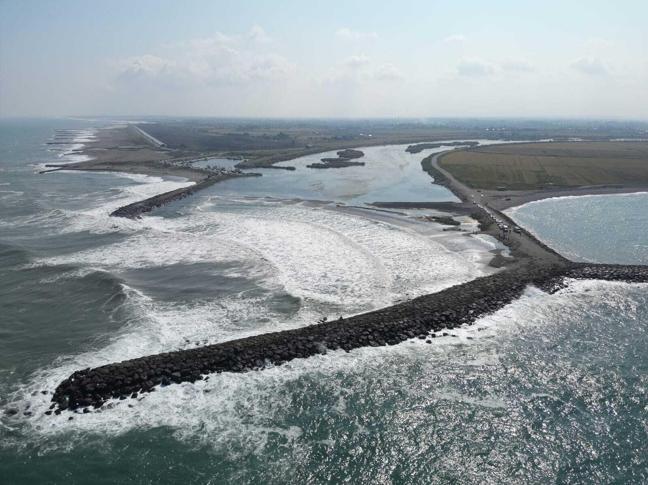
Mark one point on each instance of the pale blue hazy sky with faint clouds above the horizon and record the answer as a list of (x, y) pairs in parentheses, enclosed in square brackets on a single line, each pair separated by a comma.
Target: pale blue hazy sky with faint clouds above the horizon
[(356, 59)]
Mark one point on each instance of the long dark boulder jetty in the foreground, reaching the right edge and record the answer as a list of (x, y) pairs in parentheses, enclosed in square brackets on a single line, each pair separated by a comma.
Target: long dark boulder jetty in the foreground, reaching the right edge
[(420, 318)]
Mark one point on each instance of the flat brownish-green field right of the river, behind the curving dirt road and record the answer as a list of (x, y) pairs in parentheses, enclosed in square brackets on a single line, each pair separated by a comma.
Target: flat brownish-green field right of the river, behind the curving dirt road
[(547, 165)]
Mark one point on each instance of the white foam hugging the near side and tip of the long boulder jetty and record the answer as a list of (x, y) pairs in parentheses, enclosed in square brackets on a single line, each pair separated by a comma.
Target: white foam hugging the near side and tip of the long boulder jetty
[(238, 408)]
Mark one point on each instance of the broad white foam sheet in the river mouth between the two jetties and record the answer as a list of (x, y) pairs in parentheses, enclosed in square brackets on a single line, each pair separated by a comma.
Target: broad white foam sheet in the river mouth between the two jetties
[(318, 254)]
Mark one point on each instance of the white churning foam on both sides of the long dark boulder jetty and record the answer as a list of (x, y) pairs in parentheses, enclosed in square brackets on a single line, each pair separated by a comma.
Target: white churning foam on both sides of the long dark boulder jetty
[(328, 258)]
